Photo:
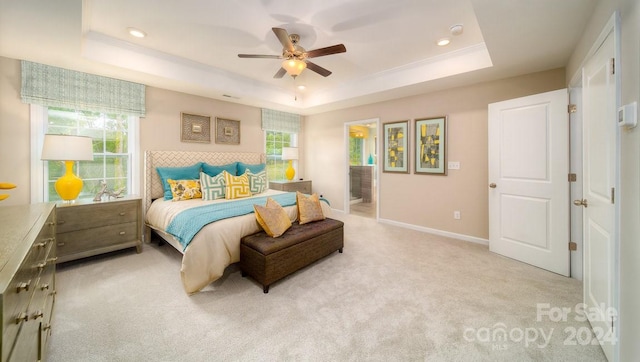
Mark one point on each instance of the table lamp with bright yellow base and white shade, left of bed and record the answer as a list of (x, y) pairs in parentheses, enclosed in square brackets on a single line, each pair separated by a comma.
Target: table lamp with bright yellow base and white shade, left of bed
[(68, 149)]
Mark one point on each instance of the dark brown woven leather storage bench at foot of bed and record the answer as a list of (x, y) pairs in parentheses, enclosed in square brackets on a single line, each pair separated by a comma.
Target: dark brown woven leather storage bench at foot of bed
[(267, 259)]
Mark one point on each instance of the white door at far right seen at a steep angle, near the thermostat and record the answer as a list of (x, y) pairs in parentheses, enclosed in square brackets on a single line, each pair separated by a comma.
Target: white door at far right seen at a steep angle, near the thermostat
[(598, 203)]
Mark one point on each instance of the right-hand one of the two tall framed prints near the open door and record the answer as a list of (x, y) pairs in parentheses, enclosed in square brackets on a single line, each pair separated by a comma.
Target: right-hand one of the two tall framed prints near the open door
[(431, 146)]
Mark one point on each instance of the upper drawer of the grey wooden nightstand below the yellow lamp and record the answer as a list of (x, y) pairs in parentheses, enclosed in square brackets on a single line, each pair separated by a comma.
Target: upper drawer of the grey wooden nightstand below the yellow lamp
[(96, 215)]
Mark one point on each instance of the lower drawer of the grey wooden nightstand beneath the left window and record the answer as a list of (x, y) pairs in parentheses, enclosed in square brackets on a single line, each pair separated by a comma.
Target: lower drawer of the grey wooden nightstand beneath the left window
[(90, 239)]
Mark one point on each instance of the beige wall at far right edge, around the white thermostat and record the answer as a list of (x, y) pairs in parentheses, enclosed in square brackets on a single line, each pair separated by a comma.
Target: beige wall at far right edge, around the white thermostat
[(629, 253)]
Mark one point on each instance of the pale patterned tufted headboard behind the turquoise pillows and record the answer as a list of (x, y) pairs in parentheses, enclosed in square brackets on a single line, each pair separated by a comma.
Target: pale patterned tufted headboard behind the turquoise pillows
[(152, 159)]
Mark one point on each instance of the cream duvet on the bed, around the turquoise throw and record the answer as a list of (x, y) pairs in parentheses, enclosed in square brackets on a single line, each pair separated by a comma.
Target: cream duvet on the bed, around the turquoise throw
[(216, 245)]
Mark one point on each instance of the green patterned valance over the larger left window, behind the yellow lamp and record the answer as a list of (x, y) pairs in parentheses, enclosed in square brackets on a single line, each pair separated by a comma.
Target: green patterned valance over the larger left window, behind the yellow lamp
[(57, 87)]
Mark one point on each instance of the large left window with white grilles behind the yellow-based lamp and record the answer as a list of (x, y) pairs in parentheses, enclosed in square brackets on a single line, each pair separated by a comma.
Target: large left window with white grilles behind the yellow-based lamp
[(114, 149)]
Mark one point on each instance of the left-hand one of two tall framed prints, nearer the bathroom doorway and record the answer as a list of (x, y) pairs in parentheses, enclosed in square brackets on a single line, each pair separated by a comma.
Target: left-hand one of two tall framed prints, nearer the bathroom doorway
[(395, 147)]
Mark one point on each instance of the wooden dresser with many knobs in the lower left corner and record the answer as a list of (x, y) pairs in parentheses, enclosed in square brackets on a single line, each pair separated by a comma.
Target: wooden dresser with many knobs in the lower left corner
[(27, 280)]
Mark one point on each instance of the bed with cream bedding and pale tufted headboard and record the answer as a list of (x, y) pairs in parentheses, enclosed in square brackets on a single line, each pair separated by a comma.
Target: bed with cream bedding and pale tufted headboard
[(217, 245)]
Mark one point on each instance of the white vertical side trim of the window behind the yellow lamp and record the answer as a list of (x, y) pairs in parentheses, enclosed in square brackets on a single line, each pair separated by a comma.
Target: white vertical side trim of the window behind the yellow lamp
[(39, 118)]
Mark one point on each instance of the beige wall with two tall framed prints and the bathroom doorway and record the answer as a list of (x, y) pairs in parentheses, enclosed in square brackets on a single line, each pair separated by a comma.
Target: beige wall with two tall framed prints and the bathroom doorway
[(425, 200)]
